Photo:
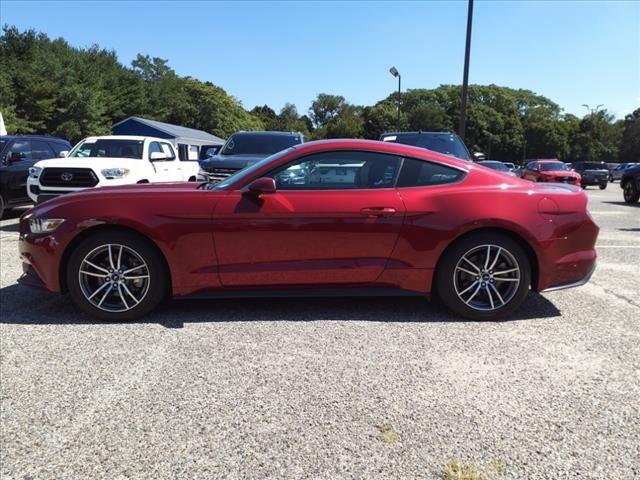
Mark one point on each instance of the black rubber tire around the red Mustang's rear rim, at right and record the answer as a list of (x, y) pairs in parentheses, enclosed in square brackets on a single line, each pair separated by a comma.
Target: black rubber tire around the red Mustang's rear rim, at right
[(447, 269)]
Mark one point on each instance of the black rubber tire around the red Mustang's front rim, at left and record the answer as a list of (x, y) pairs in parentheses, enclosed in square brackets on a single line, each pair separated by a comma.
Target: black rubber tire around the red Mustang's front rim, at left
[(156, 289)]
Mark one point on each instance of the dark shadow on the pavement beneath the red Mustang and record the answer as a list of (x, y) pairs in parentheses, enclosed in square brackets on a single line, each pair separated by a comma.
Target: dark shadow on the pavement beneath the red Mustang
[(25, 306)]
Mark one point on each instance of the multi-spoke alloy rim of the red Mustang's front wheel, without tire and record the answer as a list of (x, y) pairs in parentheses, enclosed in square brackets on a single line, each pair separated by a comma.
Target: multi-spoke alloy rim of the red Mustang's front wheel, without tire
[(114, 278)]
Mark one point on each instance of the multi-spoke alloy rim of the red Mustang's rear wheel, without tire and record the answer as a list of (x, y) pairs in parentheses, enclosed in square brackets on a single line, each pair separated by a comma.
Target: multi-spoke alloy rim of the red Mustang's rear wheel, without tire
[(486, 277)]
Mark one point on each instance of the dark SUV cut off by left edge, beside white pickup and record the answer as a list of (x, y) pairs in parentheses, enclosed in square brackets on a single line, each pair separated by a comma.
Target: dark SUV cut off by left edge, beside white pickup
[(18, 153)]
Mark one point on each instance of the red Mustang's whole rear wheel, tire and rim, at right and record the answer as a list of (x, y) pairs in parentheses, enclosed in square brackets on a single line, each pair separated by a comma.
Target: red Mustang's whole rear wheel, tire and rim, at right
[(484, 276)]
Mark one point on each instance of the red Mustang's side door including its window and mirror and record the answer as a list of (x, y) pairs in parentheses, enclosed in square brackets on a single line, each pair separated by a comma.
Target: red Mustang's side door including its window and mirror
[(334, 219)]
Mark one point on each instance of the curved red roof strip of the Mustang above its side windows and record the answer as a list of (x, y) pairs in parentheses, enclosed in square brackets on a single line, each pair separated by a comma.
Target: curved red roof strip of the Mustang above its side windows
[(392, 148)]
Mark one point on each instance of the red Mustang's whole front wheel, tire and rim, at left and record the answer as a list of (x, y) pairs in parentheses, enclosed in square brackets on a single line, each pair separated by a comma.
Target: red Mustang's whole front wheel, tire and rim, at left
[(116, 276)]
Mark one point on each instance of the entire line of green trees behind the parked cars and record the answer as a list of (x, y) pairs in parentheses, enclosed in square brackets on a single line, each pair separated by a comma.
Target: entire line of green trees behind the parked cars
[(49, 87)]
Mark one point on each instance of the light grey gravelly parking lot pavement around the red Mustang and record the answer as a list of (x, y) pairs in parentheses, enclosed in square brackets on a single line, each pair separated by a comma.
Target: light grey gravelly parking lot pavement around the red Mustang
[(348, 388)]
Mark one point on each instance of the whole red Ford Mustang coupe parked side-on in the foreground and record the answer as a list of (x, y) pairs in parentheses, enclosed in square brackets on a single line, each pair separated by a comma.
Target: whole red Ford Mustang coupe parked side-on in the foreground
[(345, 217)]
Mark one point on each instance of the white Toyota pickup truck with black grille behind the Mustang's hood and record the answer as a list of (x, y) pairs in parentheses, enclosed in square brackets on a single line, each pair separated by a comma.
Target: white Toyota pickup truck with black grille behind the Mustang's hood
[(107, 161)]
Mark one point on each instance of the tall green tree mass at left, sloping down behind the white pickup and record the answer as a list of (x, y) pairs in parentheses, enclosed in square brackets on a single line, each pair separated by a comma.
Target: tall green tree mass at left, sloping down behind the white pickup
[(49, 87)]
